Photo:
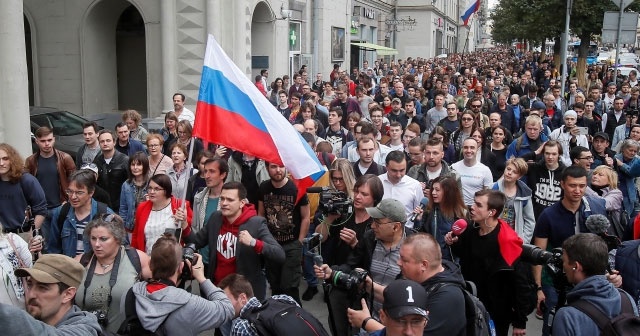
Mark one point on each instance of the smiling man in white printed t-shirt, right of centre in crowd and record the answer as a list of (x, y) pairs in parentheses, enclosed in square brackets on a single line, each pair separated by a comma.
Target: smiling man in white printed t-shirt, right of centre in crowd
[(474, 175)]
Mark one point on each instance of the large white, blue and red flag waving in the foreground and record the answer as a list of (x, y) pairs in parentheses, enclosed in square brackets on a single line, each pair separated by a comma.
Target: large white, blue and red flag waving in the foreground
[(232, 112)]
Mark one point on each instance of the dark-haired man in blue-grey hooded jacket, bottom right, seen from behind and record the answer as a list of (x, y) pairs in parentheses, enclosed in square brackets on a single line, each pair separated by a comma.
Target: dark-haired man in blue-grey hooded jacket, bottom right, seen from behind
[(584, 260)]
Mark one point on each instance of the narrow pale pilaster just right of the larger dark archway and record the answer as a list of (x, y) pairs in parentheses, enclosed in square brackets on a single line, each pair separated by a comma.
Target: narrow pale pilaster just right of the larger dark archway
[(169, 40)]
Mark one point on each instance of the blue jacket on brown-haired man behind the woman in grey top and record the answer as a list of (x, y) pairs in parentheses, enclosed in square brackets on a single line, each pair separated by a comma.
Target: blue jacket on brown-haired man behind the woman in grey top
[(66, 241)]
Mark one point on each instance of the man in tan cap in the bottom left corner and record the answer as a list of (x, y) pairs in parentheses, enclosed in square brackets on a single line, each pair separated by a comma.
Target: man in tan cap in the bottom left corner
[(52, 283)]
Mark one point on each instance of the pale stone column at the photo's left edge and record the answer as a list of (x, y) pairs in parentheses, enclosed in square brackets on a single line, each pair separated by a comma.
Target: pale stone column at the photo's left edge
[(14, 90)]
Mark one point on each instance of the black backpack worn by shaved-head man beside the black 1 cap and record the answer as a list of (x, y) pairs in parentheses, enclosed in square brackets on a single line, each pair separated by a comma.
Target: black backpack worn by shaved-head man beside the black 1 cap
[(479, 321)]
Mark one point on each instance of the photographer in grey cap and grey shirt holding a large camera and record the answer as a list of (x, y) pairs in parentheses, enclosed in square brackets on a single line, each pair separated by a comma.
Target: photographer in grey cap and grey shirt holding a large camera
[(377, 254)]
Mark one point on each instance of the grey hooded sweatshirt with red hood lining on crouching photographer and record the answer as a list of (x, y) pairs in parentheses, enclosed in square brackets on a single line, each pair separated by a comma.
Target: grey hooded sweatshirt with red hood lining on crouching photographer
[(168, 310)]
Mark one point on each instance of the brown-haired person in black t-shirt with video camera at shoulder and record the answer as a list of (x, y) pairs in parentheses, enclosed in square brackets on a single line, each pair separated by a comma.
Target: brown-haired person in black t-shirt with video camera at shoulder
[(341, 233)]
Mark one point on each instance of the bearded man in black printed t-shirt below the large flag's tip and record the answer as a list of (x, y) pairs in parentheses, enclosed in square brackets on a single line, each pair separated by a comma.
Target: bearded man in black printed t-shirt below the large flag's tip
[(288, 220)]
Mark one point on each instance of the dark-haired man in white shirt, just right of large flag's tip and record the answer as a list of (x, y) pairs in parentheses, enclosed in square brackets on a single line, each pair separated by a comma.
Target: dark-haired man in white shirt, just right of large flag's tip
[(399, 186)]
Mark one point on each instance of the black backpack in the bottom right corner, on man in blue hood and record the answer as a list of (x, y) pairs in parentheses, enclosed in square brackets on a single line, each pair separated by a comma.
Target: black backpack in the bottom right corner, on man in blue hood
[(625, 324)]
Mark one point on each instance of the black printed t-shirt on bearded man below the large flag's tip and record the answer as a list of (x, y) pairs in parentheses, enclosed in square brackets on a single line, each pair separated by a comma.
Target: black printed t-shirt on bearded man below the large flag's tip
[(281, 210)]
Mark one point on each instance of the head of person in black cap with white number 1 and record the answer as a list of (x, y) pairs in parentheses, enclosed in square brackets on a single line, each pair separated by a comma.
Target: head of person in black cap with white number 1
[(403, 312)]
